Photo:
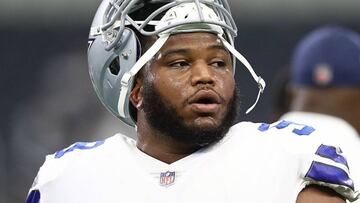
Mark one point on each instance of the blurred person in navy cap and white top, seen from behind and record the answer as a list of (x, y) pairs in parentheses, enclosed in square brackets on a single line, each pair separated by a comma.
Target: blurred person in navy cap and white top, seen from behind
[(325, 81)]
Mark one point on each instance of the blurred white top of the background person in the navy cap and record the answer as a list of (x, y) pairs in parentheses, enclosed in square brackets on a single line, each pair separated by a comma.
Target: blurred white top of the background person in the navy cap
[(336, 130)]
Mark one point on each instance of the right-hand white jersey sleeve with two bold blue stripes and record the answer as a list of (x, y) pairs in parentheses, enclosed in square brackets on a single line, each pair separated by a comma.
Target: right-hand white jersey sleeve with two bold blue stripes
[(328, 167)]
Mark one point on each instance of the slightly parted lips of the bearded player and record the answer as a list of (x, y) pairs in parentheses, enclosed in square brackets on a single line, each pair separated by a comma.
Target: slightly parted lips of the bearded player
[(205, 102)]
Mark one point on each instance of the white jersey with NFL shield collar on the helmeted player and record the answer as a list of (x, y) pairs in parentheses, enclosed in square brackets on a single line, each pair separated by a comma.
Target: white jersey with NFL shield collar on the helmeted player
[(254, 163)]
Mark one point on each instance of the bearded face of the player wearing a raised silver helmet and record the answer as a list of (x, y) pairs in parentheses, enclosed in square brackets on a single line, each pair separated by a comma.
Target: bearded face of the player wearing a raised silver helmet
[(190, 89)]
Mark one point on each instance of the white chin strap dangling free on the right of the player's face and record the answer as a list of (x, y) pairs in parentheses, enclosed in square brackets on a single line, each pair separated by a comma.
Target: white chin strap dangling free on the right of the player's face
[(261, 83)]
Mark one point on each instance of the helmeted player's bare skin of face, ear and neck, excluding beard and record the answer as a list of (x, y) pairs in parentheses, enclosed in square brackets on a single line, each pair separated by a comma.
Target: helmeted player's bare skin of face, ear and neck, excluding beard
[(193, 73)]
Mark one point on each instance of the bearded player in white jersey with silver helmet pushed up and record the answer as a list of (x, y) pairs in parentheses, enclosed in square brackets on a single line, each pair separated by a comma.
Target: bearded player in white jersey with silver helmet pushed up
[(167, 68)]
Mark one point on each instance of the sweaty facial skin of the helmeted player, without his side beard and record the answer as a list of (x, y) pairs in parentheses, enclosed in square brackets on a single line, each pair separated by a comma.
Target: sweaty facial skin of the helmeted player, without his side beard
[(190, 68)]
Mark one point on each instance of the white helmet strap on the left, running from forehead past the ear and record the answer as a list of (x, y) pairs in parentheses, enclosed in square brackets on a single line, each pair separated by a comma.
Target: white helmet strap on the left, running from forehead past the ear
[(126, 80)]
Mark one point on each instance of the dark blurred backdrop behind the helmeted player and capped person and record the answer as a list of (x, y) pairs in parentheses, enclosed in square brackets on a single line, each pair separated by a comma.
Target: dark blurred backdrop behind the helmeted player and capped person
[(47, 101)]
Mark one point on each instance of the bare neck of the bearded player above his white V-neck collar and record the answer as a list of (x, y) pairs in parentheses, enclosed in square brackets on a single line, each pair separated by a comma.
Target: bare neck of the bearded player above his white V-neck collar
[(159, 146)]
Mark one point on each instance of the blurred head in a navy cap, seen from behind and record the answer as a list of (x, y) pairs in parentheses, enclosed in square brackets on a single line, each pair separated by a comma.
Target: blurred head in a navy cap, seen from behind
[(326, 74)]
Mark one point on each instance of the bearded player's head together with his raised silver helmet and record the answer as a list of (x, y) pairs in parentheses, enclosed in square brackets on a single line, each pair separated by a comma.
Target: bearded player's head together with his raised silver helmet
[(199, 34)]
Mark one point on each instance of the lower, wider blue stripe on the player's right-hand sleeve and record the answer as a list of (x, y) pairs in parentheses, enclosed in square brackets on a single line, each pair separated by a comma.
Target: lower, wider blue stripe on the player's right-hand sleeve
[(329, 174)]
